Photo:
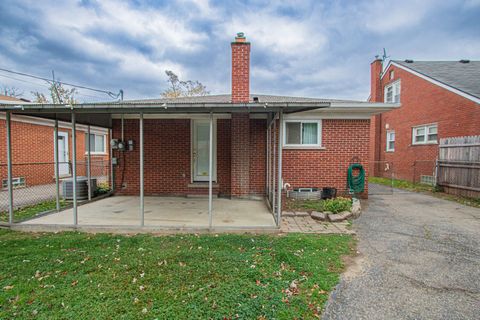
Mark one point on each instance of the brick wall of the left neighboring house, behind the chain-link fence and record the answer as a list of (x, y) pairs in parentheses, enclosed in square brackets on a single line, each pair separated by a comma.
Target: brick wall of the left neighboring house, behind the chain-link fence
[(33, 152)]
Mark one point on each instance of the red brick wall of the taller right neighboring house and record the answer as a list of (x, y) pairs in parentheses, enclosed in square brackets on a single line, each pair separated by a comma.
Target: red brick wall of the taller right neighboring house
[(422, 103)]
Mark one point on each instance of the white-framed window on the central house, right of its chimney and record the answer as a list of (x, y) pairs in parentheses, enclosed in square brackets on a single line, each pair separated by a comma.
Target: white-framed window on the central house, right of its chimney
[(304, 133)]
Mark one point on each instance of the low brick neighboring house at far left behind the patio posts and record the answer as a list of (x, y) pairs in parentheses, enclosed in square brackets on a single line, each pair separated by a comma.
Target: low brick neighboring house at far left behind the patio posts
[(33, 145)]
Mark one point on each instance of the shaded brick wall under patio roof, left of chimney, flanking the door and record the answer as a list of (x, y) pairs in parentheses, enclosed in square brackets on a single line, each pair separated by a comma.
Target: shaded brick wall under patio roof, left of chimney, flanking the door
[(167, 157)]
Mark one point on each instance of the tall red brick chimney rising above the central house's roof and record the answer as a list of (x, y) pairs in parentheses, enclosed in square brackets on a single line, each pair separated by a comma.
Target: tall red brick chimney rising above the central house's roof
[(240, 69)]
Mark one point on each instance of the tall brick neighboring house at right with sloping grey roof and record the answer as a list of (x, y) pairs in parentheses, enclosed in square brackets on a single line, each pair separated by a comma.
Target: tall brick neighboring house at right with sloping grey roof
[(438, 99)]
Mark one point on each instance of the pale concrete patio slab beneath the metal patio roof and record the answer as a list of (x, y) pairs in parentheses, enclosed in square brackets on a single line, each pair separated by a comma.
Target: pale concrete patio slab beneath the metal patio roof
[(174, 212)]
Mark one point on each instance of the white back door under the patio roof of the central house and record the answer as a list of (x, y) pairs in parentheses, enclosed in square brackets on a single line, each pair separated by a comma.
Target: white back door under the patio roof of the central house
[(200, 150)]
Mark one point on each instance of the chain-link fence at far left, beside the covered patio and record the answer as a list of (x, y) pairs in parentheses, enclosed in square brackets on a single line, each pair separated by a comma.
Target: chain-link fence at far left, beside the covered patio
[(34, 188)]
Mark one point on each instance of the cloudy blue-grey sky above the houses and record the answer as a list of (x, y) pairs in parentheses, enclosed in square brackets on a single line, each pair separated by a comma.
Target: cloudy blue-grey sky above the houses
[(299, 48)]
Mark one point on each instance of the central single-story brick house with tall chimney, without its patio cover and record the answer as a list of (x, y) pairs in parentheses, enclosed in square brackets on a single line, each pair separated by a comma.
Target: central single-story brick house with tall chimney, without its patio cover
[(318, 145)]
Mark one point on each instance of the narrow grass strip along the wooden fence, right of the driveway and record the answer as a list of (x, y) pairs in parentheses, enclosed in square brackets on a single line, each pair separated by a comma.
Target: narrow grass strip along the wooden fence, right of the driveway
[(419, 187)]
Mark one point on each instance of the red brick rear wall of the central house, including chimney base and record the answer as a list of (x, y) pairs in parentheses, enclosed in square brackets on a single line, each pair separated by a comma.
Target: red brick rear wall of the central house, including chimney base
[(167, 156)]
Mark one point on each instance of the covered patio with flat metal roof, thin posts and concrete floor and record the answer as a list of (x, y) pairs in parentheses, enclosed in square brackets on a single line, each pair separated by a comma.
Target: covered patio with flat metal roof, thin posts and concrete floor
[(141, 211)]
